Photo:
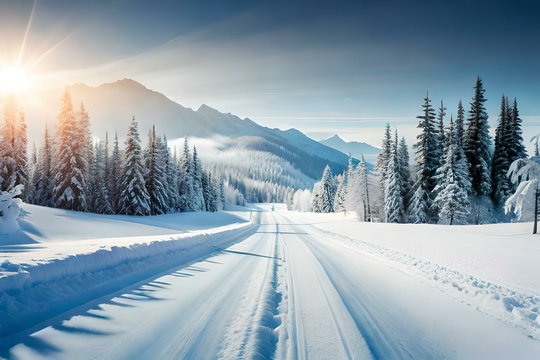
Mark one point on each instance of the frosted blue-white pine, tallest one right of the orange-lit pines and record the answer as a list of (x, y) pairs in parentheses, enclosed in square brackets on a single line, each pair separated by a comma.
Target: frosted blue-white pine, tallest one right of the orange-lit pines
[(134, 198)]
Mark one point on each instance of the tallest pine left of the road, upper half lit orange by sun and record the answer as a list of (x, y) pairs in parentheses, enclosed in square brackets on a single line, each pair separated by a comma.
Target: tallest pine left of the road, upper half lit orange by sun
[(71, 166)]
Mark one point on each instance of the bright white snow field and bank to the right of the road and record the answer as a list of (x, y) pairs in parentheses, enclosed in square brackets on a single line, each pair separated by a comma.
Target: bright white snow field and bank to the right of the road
[(493, 268)]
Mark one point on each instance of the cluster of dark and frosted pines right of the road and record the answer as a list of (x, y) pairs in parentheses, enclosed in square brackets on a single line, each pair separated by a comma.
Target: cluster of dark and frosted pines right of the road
[(460, 174)]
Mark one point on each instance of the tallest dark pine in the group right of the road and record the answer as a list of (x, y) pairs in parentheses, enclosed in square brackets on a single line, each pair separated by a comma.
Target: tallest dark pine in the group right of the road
[(477, 144)]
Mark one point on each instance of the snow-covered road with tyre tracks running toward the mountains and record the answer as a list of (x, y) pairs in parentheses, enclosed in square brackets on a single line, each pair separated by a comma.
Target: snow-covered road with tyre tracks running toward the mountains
[(285, 292)]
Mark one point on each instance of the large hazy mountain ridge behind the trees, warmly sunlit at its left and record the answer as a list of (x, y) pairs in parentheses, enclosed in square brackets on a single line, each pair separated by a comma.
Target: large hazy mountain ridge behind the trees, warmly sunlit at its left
[(112, 105)]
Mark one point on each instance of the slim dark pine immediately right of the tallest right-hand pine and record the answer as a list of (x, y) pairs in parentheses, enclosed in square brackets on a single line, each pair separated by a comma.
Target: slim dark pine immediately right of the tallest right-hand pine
[(500, 161)]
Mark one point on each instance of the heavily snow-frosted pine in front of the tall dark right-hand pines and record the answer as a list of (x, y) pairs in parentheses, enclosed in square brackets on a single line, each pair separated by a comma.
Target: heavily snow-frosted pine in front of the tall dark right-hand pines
[(451, 201)]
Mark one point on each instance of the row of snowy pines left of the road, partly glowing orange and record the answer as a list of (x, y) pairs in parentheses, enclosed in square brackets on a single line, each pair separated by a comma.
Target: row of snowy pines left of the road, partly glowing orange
[(71, 171)]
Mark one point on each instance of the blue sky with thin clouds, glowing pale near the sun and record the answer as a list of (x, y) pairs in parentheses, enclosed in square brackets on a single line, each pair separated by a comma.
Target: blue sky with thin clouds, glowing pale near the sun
[(323, 67)]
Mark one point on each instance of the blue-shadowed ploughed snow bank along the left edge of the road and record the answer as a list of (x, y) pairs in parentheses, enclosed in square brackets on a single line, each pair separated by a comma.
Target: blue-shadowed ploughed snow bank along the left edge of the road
[(33, 291)]
